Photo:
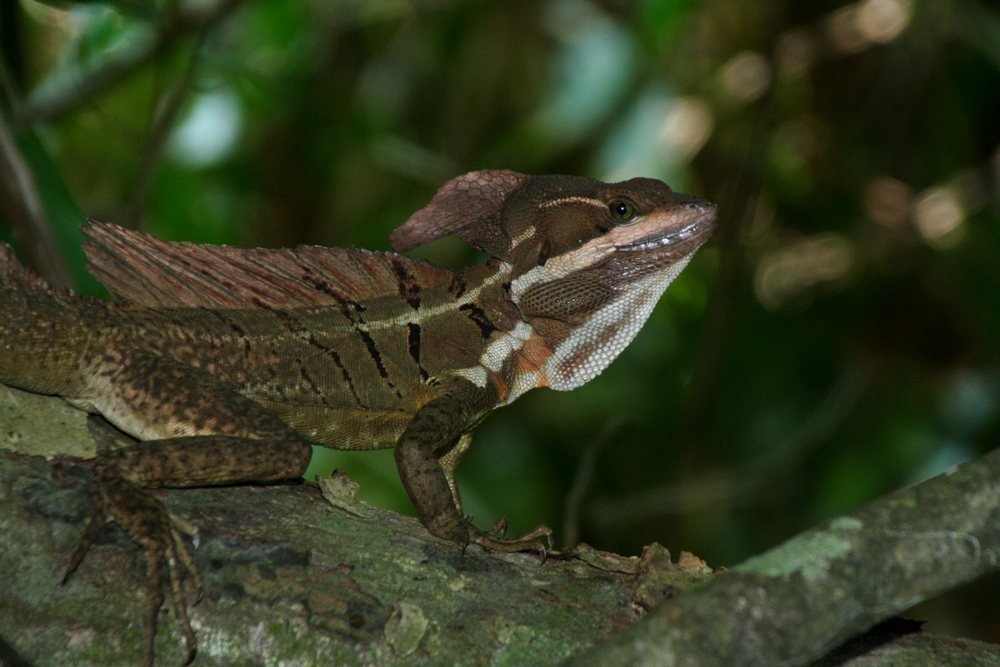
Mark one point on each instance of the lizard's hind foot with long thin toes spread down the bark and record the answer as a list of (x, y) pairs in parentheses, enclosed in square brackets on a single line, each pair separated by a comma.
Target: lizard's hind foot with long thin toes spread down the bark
[(160, 535)]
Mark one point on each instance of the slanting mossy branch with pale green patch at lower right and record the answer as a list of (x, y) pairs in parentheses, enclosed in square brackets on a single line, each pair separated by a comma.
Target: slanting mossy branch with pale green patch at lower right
[(793, 603)]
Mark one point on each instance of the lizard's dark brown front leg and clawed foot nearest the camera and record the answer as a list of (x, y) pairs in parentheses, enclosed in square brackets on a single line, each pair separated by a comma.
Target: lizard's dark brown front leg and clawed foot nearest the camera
[(431, 434)]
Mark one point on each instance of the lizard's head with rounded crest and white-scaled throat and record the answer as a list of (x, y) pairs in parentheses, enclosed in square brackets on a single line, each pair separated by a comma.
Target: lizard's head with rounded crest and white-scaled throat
[(588, 260)]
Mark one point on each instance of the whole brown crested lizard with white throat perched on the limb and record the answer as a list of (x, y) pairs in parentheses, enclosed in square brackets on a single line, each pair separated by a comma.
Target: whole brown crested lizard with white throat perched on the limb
[(229, 362)]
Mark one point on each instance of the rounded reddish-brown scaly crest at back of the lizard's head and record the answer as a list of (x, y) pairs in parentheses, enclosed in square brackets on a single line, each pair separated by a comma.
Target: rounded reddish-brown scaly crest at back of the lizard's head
[(470, 206)]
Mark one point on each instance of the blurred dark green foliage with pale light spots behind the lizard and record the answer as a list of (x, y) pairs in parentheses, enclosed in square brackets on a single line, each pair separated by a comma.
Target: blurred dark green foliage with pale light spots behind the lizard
[(838, 338)]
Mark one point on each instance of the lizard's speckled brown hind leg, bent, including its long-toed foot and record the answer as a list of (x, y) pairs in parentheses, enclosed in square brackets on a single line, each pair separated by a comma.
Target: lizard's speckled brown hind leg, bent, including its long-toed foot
[(196, 432)]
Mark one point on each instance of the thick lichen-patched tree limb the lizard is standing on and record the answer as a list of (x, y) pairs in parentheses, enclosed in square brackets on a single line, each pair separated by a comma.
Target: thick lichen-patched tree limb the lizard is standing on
[(294, 574)]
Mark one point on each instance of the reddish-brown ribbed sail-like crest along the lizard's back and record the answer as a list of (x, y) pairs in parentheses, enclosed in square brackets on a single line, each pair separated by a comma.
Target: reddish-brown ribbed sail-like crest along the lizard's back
[(139, 268)]
